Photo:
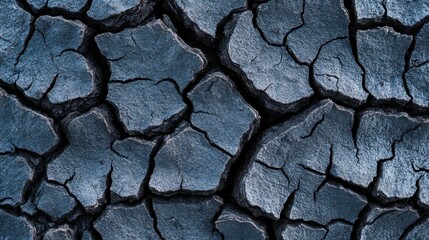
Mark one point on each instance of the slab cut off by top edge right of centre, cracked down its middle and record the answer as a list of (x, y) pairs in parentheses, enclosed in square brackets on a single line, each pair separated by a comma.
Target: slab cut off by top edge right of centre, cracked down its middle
[(304, 26)]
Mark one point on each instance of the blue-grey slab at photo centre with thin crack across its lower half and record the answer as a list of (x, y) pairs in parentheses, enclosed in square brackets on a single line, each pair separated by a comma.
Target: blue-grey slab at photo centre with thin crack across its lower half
[(226, 127)]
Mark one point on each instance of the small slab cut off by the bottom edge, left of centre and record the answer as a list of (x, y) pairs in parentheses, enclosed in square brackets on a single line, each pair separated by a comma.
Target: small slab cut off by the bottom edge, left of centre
[(139, 223)]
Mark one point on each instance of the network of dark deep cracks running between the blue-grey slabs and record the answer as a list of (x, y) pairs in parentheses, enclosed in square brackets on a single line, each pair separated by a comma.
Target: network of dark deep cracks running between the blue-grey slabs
[(269, 118)]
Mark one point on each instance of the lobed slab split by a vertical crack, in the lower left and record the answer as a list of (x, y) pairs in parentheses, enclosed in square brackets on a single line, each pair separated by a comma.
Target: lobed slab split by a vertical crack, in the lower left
[(92, 155)]
